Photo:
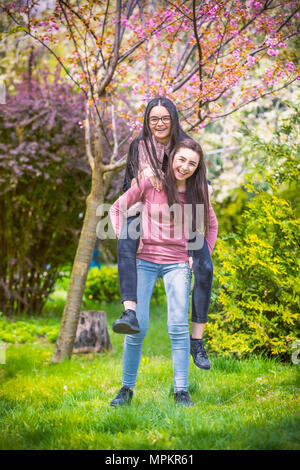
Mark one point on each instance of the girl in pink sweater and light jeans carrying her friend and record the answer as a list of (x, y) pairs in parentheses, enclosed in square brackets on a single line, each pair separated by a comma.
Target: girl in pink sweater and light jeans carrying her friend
[(164, 253)]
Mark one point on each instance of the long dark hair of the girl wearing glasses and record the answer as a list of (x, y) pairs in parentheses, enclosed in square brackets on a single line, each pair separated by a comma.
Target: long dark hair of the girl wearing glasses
[(177, 134)]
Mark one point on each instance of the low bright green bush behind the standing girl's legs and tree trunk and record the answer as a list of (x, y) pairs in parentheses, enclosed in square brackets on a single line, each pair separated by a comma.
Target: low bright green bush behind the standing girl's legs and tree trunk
[(103, 286)]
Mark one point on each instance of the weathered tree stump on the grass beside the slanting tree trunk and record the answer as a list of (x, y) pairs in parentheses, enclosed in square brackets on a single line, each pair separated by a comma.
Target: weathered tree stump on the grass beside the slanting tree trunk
[(92, 334)]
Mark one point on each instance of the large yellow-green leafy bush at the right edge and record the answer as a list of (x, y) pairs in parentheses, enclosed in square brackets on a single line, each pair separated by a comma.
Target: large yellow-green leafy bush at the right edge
[(258, 268)]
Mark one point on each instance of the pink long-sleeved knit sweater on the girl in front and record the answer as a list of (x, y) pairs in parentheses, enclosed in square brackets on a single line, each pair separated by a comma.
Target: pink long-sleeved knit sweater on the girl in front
[(163, 241)]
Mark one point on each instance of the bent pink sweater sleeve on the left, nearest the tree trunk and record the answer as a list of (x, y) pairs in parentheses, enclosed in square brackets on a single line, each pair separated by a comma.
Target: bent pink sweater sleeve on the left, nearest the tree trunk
[(118, 210)]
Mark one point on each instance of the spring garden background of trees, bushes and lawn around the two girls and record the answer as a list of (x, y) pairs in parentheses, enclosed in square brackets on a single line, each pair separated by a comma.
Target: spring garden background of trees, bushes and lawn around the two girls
[(75, 77)]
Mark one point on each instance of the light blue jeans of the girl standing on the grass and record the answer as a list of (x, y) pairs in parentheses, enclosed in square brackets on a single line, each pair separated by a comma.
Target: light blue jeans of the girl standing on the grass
[(177, 282)]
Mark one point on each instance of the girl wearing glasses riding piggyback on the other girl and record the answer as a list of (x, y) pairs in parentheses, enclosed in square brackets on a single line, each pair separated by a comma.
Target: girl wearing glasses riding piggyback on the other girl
[(148, 156)]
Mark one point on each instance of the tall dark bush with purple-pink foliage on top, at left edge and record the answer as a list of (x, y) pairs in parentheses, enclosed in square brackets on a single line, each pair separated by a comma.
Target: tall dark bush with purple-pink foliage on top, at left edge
[(44, 181)]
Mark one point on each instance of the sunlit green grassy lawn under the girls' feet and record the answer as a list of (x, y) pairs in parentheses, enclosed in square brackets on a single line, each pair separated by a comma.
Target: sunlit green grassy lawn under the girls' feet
[(239, 404)]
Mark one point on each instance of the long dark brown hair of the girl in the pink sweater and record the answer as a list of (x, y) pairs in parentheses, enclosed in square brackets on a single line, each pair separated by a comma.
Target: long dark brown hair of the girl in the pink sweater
[(196, 185)]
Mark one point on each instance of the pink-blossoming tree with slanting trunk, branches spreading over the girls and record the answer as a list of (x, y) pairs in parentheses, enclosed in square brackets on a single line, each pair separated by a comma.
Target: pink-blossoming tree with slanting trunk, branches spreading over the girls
[(211, 57)]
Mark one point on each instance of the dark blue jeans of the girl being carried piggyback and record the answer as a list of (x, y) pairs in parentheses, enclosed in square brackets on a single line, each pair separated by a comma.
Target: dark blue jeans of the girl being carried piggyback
[(202, 267)]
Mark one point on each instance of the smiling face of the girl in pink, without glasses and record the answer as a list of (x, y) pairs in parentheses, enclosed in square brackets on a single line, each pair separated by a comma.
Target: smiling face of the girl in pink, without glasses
[(185, 163)]
